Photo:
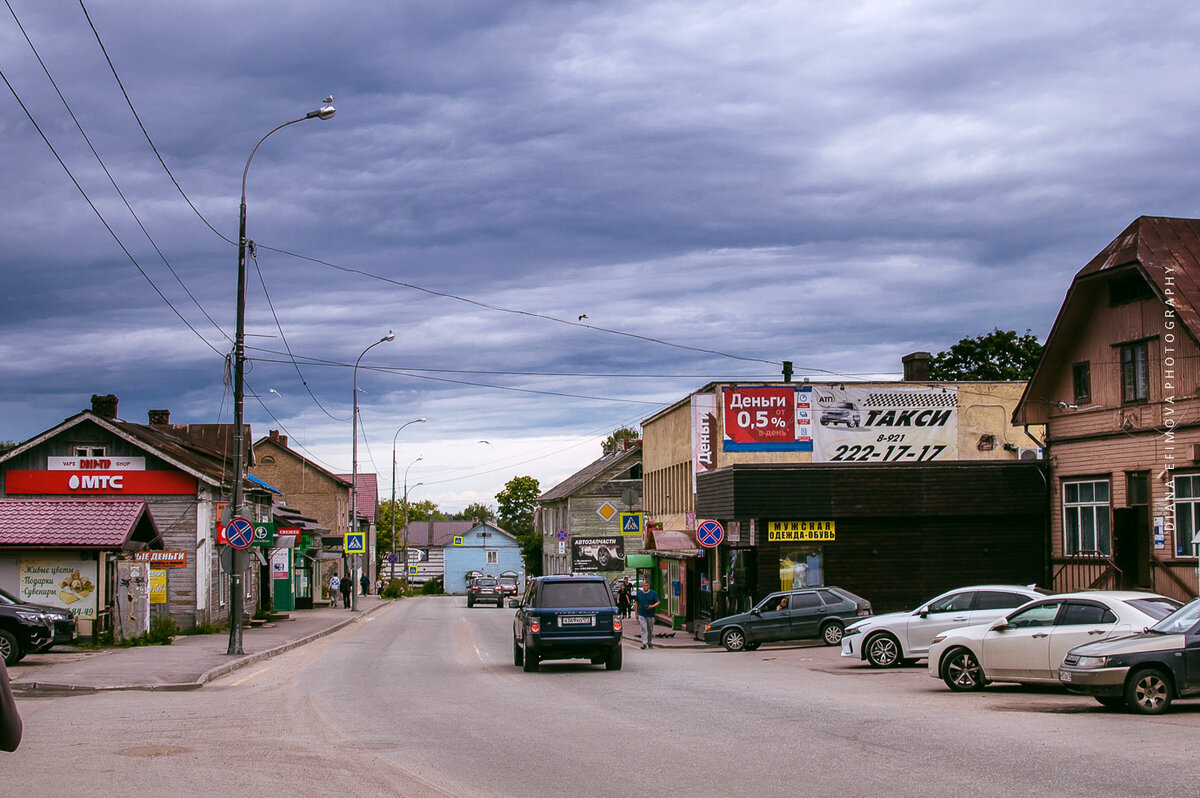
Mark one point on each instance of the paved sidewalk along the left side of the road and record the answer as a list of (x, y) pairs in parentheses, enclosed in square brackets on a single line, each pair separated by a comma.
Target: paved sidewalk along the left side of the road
[(188, 664)]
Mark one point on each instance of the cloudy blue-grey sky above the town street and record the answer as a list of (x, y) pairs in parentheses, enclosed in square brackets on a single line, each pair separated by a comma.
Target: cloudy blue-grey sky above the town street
[(572, 214)]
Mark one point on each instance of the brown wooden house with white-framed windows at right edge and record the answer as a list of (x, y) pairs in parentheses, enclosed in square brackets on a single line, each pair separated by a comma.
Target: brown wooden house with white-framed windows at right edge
[(1118, 392)]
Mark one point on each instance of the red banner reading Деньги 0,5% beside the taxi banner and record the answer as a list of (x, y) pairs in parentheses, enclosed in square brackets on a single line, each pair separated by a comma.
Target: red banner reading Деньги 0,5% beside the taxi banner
[(776, 418)]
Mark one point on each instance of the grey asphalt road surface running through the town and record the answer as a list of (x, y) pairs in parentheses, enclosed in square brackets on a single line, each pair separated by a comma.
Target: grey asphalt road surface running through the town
[(423, 699)]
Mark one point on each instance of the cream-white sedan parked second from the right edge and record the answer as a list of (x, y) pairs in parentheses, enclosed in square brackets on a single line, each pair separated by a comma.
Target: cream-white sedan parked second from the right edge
[(1029, 644)]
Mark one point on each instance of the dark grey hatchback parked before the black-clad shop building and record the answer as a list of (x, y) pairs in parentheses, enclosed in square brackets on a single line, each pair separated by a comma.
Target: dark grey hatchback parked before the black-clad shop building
[(790, 615)]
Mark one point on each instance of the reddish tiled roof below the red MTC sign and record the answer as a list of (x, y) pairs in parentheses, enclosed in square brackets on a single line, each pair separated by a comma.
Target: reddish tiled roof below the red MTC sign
[(97, 523)]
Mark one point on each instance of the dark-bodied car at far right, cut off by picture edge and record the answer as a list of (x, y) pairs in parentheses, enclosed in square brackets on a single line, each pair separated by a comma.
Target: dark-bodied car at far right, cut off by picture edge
[(1144, 673)]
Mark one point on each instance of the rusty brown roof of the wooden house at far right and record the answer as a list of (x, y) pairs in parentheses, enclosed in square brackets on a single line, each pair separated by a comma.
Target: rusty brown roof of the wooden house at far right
[(1166, 251)]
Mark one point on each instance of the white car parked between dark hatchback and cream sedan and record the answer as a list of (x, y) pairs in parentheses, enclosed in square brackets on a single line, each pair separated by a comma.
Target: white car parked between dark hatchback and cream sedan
[(898, 638)]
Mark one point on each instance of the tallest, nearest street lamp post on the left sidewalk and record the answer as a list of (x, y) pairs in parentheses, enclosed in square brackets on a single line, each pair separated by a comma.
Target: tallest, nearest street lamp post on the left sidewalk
[(239, 370)]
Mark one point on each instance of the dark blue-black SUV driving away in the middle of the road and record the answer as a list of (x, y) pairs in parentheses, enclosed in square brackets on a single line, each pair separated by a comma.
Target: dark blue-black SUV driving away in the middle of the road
[(566, 619)]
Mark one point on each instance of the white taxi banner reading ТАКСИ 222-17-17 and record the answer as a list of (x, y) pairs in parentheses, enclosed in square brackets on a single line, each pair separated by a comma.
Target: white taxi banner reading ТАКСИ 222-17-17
[(885, 425)]
